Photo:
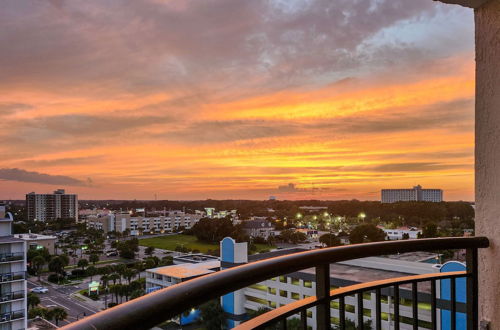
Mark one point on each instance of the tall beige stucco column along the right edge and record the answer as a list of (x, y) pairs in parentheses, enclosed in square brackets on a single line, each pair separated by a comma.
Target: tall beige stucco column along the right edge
[(487, 19)]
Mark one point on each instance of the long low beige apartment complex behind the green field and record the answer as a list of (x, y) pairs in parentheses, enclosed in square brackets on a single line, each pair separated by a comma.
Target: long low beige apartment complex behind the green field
[(140, 225)]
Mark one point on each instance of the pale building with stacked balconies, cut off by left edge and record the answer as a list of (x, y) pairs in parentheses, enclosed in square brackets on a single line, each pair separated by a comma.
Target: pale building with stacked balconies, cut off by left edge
[(13, 297)]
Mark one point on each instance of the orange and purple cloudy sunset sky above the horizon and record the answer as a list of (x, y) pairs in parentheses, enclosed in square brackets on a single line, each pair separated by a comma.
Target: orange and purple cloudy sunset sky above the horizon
[(235, 98)]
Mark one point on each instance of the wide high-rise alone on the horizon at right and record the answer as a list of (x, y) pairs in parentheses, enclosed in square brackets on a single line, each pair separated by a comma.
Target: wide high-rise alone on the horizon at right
[(416, 194)]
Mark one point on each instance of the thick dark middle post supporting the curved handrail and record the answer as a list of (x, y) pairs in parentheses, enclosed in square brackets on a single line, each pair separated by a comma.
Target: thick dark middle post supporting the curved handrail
[(323, 292)]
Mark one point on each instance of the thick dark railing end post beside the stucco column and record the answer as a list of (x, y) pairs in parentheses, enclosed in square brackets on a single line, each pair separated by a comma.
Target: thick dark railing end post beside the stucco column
[(472, 305)]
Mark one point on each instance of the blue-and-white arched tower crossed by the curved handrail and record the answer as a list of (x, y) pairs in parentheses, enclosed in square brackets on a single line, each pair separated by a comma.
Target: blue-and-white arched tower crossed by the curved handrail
[(233, 254)]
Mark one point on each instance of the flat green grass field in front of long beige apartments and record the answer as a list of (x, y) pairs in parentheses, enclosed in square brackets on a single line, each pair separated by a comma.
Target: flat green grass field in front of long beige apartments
[(187, 241)]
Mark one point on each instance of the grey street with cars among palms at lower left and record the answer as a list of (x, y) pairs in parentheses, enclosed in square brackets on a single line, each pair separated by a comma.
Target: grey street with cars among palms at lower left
[(60, 297)]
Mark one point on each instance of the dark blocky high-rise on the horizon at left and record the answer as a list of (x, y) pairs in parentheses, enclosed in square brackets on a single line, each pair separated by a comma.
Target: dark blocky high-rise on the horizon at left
[(59, 205)]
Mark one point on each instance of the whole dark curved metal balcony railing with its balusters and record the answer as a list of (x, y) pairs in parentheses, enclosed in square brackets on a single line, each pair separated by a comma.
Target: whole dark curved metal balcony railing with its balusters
[(152, 309)]
